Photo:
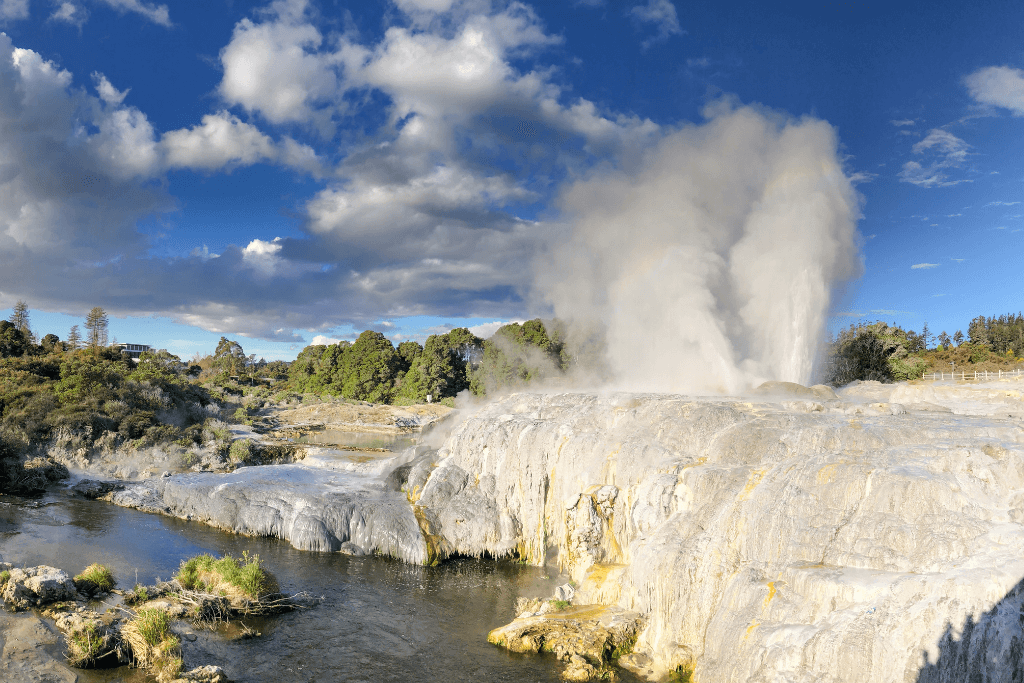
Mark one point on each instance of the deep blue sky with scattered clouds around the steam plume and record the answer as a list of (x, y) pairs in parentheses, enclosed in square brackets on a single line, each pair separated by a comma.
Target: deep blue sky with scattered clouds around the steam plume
[(277, 173)]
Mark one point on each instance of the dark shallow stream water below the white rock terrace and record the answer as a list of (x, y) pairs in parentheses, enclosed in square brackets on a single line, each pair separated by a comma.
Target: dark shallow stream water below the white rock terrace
[(380, 620)]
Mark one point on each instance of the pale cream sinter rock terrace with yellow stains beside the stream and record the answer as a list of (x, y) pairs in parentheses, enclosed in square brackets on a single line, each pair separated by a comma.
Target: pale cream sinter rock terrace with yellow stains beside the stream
[(792, 536)]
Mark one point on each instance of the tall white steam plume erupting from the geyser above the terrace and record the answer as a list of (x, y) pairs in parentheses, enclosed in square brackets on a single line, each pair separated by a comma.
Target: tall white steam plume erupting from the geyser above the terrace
[(711, 267)]
